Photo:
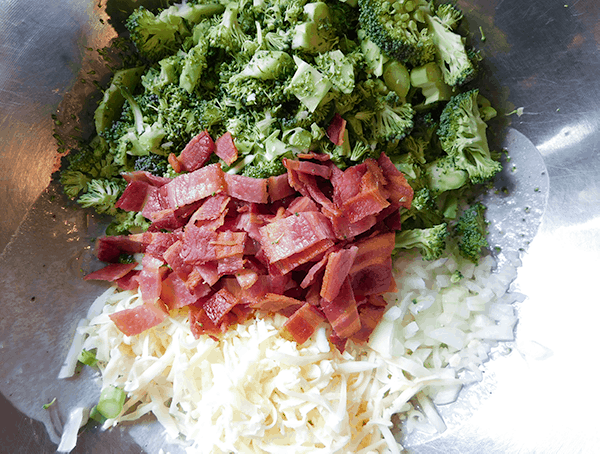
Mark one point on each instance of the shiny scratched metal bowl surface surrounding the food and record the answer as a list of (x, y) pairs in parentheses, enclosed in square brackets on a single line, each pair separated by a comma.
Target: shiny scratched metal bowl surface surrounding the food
[(543, 55)]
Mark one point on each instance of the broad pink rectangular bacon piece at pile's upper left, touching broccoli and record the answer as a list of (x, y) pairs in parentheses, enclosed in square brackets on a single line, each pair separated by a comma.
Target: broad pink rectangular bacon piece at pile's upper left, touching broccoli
[(191, 187)]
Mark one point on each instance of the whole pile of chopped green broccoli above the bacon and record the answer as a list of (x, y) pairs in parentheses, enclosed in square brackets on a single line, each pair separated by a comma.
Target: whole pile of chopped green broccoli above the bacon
[(274, 74)]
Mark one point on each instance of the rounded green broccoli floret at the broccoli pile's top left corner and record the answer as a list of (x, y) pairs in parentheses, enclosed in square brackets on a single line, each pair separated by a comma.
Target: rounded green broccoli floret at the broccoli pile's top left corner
[(156, 37)]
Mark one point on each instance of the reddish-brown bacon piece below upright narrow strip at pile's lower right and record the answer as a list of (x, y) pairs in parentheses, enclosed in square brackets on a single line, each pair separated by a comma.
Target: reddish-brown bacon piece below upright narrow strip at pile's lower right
[(342, 313)]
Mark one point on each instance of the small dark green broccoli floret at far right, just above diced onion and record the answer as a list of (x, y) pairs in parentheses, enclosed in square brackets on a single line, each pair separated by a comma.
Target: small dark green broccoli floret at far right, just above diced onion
[(472, 230)]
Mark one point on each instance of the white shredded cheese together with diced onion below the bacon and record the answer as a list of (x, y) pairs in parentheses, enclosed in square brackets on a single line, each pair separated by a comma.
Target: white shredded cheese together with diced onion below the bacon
[(253, 391)]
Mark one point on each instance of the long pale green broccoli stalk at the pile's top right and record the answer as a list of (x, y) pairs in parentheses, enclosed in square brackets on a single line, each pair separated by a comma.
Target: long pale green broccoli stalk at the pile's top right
[(451, 54)]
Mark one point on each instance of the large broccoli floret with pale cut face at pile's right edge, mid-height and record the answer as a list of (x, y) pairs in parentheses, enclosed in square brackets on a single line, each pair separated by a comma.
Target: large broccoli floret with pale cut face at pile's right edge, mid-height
[(462, 134)]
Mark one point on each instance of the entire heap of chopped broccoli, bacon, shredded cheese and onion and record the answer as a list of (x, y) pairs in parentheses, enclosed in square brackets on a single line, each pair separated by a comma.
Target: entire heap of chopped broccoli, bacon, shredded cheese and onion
[(268, 165)]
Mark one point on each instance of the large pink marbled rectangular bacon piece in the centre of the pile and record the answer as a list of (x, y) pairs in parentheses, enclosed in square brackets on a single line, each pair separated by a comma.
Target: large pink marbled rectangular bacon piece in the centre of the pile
[(294, 234)]
